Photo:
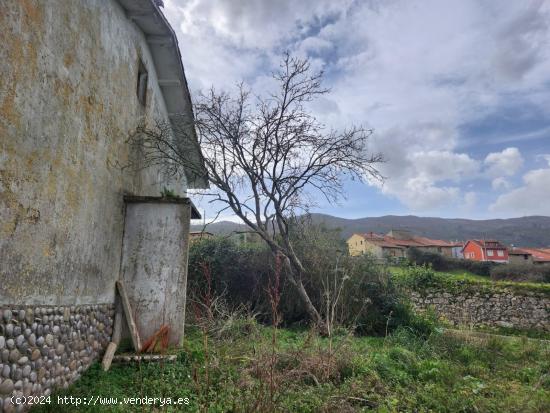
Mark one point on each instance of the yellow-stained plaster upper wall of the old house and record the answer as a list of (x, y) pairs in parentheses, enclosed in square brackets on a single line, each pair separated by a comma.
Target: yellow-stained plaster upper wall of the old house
[(67, 103)]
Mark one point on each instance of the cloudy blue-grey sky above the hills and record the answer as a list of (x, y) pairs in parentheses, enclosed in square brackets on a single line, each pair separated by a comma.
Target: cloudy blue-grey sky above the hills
[(458, 92)]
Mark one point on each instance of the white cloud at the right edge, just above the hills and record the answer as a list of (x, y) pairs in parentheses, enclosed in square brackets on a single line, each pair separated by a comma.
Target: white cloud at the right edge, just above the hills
[(533, 198)]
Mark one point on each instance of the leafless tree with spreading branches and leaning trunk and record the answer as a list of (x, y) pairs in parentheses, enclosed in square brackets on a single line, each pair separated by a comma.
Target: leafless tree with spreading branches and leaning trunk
[(266, 156)]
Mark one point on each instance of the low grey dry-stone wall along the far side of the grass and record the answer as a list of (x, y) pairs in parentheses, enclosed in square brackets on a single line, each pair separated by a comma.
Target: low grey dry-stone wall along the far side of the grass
[(498, 308)]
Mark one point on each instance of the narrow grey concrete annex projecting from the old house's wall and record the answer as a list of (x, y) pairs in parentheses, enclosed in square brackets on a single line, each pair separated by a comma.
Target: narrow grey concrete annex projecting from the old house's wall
[(154, 264)]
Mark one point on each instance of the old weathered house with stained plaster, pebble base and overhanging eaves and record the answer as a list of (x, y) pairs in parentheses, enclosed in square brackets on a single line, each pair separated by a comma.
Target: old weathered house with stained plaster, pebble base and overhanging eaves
[(77, 77)]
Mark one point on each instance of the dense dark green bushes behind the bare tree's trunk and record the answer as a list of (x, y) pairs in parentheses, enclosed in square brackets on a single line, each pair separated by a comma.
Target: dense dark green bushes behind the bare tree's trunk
[(369, 300)]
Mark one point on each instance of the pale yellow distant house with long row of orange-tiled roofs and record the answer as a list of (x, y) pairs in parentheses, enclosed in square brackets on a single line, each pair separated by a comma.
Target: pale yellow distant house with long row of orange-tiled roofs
[(395, 244)]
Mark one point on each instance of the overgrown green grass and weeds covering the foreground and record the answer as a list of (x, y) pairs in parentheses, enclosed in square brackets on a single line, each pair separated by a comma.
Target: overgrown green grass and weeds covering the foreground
[(399, 373)]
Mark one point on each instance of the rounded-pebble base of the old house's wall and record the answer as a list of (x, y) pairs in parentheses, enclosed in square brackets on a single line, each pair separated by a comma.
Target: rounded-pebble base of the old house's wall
[(48, 347)]
